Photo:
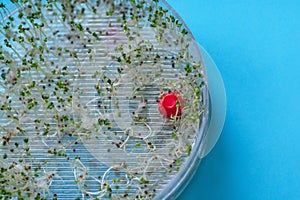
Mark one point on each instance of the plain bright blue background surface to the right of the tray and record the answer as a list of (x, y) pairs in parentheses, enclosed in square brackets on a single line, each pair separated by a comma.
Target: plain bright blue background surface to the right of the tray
[(256, 46)]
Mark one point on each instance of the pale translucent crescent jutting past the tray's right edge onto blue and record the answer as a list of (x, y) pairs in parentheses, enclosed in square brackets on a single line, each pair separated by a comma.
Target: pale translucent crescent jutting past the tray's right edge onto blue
[(218, 103)]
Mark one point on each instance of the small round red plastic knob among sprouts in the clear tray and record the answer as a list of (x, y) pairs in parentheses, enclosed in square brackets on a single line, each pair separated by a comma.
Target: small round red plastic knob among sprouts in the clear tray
[(170, 105)]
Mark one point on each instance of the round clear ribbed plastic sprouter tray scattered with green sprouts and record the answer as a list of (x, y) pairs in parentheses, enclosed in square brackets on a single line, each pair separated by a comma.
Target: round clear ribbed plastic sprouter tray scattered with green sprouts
[(79, 90)]
